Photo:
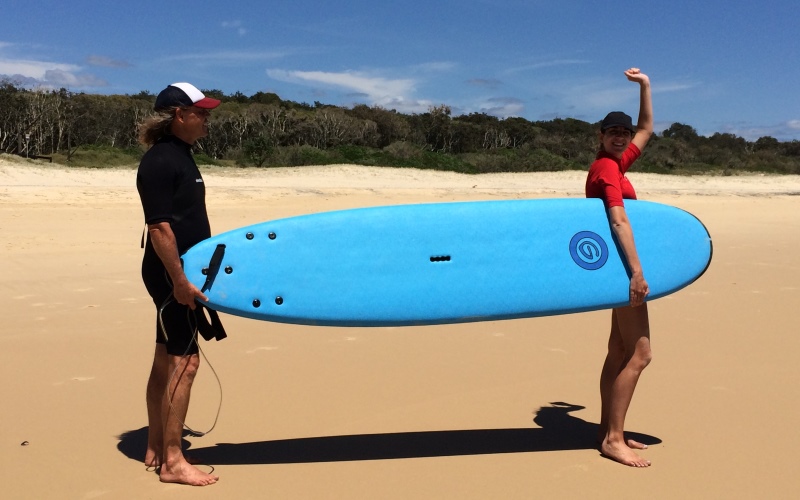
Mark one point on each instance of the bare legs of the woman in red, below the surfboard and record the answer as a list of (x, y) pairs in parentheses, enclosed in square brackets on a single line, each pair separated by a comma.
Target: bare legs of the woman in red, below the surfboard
[(631, 332)]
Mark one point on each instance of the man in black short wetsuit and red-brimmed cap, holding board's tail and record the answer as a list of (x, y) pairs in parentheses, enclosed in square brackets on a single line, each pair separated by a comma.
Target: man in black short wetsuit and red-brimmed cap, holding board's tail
[(173, 198)]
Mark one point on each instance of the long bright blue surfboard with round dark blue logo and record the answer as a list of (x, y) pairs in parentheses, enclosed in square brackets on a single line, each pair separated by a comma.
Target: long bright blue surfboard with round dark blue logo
[(444, 262)]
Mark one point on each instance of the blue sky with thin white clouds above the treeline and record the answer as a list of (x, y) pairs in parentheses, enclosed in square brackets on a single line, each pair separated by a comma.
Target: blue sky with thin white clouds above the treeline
[(731, 66)]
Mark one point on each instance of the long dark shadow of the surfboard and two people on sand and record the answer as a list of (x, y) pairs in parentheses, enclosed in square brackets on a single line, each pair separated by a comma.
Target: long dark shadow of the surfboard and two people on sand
[(558, 430)]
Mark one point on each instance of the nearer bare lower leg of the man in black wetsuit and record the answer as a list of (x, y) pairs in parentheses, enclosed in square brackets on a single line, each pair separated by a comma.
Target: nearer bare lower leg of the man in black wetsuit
[(174, 467)]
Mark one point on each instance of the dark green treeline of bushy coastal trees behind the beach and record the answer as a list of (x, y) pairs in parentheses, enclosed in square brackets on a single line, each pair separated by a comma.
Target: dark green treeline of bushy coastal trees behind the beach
[(263, 130)]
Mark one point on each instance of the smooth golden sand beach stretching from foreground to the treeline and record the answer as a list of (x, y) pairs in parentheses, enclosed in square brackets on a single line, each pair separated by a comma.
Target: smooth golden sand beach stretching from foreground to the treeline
[(485, 410)]
